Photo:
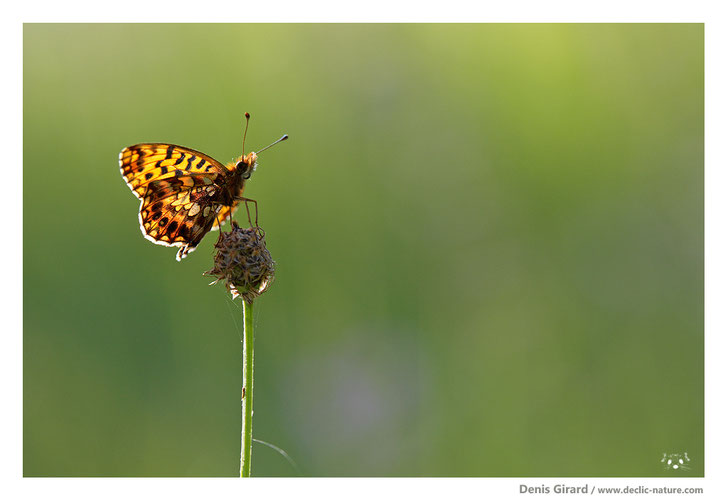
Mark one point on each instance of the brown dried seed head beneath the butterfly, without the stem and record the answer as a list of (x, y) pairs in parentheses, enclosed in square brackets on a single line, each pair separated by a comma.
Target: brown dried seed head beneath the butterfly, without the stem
[(243, 261)]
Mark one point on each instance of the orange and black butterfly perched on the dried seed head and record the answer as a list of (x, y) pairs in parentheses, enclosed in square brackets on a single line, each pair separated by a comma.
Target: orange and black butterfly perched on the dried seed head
[(184, 193)]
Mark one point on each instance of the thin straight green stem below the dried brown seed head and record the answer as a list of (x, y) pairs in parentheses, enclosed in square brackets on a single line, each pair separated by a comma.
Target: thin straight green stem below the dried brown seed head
[(246, 439)]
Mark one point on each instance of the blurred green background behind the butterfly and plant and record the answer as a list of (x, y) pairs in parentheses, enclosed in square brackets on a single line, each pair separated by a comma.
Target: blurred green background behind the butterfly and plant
[(489, 247)]
